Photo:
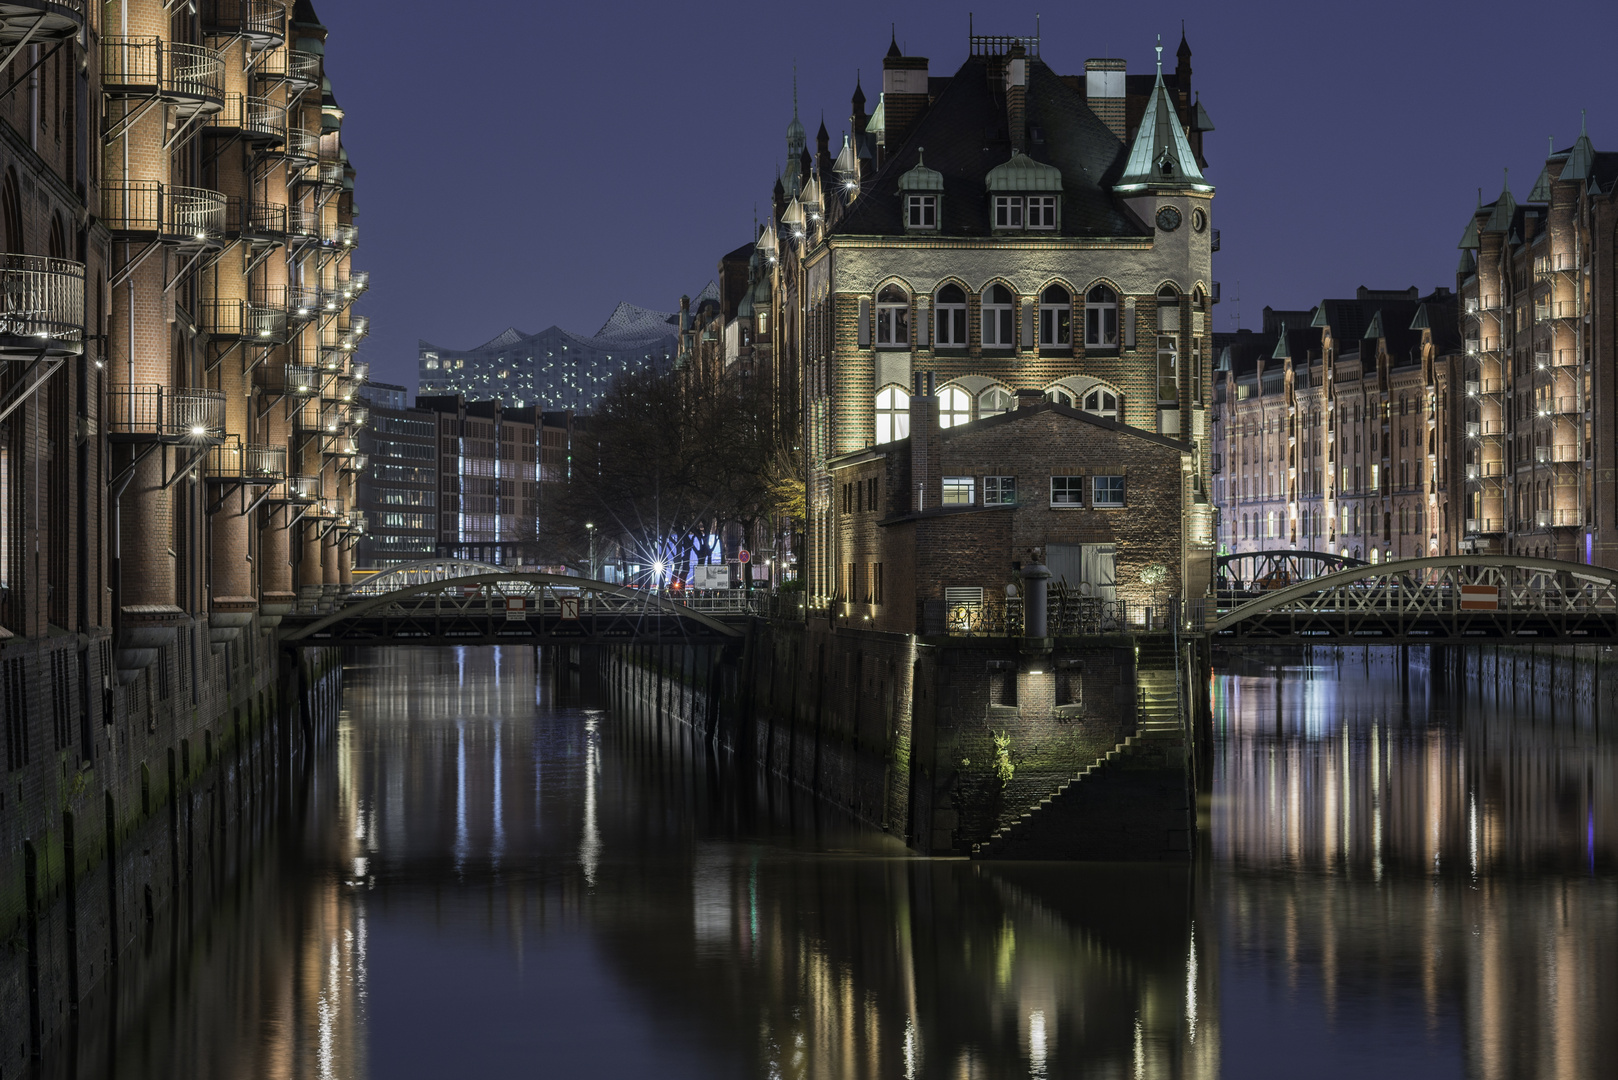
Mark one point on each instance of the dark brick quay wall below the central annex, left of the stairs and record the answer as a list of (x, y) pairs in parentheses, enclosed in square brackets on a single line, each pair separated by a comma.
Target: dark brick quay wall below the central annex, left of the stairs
[(899, 731)]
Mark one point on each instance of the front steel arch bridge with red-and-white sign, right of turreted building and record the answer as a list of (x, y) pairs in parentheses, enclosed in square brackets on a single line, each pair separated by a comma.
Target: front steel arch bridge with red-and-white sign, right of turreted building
[(1449, 600)]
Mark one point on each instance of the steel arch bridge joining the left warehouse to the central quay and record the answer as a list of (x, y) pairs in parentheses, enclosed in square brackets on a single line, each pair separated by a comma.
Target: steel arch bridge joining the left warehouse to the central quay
[(507, 608)]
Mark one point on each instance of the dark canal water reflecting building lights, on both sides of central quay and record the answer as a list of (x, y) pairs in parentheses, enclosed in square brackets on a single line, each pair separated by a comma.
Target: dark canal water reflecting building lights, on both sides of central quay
[(478, 882)]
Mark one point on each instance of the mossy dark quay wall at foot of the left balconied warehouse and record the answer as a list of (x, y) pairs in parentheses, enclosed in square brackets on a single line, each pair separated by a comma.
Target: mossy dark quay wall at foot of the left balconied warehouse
[(127, 806)]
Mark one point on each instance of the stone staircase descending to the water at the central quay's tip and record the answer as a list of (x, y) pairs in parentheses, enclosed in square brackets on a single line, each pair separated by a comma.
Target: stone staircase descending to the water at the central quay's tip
[(1133, 804)]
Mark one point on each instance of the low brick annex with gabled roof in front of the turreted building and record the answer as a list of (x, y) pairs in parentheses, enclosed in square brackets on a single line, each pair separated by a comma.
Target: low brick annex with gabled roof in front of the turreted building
[(934, 527)]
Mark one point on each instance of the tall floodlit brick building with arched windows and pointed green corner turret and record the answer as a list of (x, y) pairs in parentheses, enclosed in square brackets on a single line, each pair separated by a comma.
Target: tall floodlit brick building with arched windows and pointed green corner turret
[(1072, 258)]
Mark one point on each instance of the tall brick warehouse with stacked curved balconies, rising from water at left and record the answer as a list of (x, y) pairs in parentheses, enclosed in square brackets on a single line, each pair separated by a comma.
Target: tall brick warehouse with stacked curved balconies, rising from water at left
[(177, 436)]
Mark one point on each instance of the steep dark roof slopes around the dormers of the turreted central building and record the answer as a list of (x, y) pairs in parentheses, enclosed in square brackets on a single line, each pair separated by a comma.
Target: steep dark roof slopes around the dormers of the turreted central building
[(965, 137)]
